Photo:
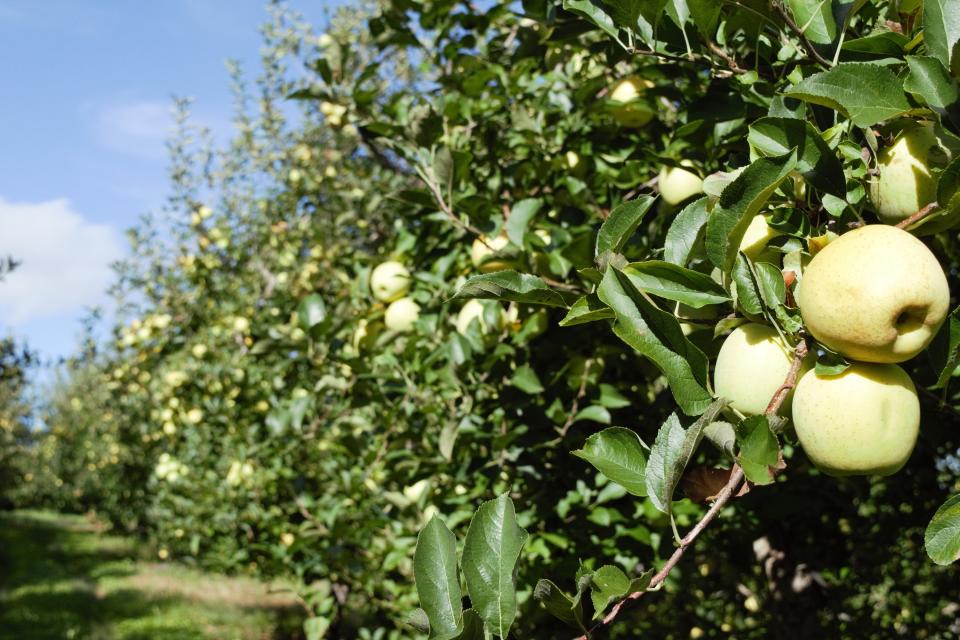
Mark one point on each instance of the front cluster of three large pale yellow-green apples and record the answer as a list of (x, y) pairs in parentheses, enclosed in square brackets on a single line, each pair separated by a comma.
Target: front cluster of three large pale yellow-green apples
[(876, 295)]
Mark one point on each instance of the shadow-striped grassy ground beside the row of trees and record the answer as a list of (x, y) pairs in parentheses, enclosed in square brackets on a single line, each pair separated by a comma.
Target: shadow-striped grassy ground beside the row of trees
[(62, 579)]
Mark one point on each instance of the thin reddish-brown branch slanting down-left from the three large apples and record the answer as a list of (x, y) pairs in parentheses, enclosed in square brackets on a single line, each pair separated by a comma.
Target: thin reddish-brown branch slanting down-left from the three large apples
[(729, 490)]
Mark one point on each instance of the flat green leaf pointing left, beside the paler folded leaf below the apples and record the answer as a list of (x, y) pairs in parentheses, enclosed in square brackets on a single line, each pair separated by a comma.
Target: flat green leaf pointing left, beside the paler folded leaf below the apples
[(618, 454)]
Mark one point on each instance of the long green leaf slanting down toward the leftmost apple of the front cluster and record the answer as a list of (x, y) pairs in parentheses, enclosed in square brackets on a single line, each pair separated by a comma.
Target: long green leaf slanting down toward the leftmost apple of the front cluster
[(657, 335)]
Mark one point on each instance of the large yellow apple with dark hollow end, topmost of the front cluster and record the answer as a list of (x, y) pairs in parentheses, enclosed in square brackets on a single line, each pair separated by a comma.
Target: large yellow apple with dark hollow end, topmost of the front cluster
[(875, 294)]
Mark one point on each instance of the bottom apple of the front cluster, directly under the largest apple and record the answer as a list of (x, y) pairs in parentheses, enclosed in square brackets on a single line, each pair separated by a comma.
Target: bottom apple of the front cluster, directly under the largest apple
[(864, 421)]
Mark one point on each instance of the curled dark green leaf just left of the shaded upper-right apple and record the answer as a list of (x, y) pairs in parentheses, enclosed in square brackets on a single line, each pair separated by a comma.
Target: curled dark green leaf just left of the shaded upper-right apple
[(815, 160)]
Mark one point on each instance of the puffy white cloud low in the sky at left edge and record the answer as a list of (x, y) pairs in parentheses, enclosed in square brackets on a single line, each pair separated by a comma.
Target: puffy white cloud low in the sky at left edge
[(65, 260)]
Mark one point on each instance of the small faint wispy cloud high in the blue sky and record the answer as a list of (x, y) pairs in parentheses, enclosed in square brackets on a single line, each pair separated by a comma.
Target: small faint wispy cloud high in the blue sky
[(139, 127)]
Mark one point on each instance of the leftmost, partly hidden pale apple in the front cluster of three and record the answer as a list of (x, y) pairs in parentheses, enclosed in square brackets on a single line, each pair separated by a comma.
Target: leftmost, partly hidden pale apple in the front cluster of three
[(752, 364)]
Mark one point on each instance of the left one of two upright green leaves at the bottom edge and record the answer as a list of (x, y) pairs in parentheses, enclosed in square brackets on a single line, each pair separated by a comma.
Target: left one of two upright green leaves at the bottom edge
[(435, 574)]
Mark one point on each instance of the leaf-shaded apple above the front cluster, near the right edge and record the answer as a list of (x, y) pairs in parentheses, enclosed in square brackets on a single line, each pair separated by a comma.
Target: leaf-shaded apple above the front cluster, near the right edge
[(905, 183)]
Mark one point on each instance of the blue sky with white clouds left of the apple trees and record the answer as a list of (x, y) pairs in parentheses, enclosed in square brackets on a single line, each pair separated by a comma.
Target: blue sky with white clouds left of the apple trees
[(84, 112)]
